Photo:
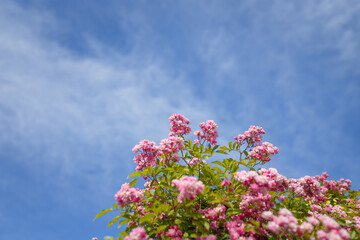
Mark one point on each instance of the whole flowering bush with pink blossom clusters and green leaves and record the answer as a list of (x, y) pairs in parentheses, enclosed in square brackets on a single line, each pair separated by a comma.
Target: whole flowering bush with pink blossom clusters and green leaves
[(188, 197)]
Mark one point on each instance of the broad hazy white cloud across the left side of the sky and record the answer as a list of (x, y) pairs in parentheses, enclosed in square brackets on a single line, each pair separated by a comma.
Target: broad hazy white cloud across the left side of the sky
[(59, 104)]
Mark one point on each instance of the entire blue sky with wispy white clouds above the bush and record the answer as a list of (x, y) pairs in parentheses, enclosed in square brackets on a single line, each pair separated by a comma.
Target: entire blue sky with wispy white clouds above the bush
[(82, 82)]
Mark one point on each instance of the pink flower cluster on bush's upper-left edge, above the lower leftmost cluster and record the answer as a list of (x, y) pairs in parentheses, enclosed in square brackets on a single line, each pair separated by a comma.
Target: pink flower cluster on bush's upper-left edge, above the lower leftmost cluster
[(149, 153)]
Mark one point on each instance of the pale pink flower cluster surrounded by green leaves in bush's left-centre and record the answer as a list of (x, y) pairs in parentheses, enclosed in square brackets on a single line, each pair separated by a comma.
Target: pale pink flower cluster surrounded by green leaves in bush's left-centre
[(189, 187)]
